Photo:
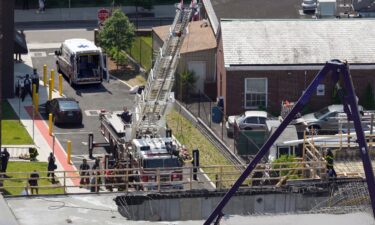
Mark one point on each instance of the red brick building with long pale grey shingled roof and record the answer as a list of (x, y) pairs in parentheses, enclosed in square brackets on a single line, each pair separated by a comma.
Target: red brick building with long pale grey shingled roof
[(262, 62)]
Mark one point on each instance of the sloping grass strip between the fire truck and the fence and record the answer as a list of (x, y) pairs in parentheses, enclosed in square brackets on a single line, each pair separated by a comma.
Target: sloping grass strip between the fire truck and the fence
[(192, 138)]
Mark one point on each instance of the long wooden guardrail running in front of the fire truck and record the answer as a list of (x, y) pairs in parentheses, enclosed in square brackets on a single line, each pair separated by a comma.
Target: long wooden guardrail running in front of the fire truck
[(157, 180)]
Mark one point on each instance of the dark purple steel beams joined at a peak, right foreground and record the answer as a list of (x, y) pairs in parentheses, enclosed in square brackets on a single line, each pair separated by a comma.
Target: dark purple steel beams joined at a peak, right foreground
[(335, 66)]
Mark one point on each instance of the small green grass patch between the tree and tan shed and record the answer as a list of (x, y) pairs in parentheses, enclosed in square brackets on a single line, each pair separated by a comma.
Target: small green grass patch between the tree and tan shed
[(141, 51)]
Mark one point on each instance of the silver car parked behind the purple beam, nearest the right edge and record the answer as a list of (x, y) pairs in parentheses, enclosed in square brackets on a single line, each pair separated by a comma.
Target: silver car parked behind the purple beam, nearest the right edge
[(325, 119)]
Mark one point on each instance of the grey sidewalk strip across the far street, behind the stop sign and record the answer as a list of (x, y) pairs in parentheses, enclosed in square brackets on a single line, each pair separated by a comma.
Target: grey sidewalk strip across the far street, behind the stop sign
[(80, 14)]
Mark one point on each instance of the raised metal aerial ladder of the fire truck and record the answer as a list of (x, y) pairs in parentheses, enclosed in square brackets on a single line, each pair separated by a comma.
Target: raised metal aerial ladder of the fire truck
[(156, 96)]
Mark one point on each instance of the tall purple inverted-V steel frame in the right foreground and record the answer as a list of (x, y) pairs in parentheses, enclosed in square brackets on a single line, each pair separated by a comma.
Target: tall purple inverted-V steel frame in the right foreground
[(349, 99)]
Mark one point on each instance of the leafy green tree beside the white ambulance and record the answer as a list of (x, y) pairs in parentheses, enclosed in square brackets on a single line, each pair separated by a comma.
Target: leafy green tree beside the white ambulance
[(117, 36)]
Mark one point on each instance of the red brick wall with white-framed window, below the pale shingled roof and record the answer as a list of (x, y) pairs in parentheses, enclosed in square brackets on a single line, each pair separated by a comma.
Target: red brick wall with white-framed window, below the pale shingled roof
[(285, 85)]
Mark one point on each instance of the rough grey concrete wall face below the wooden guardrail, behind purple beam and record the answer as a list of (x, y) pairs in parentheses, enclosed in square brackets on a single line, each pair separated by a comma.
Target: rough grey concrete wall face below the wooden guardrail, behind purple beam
[(201, 207)]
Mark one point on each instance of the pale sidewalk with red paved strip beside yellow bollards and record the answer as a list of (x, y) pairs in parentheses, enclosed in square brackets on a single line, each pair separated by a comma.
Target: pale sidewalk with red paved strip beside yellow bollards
[(43, 141)]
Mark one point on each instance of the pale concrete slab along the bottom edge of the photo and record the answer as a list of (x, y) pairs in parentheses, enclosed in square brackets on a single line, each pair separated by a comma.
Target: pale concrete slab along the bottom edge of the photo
[(101, 209)]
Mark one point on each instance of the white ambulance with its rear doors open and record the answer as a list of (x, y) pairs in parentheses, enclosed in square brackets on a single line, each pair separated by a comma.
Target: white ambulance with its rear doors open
[(81, 61)]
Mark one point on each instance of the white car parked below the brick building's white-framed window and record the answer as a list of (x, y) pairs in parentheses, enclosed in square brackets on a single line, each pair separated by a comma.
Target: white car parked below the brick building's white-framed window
[(249, 120)]
